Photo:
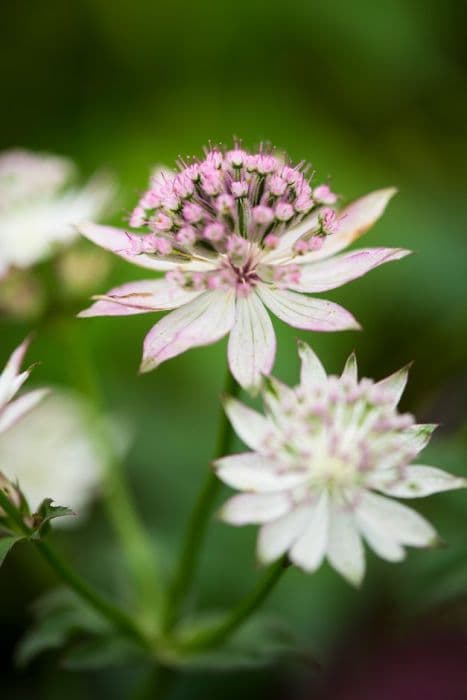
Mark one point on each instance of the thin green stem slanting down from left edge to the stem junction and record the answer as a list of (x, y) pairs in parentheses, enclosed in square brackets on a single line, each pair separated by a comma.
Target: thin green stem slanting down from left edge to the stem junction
[(111, 612)]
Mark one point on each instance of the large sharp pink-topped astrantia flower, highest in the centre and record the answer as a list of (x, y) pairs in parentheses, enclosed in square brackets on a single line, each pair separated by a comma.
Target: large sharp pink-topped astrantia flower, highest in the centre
[(235, 233)]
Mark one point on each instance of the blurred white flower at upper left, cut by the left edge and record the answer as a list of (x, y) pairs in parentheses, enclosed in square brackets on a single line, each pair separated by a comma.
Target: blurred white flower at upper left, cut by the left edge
[(39, 206)]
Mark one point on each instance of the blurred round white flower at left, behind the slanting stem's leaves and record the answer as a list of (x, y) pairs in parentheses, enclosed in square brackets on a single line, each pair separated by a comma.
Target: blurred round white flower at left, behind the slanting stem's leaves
[(54, 453)]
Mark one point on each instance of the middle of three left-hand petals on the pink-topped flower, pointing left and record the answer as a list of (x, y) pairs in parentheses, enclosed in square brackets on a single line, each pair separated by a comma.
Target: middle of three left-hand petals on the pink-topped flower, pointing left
[(140, 297)]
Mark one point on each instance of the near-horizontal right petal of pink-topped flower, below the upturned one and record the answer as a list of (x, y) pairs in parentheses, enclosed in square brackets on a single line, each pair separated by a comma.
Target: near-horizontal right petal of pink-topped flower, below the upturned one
[(332, 273)]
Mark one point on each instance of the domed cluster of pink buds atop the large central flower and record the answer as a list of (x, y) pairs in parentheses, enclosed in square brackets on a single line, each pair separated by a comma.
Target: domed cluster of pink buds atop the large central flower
[(230, 192)]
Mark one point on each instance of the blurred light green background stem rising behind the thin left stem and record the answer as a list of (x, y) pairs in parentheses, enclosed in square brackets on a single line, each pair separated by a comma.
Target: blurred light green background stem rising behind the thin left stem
[(135, 542)]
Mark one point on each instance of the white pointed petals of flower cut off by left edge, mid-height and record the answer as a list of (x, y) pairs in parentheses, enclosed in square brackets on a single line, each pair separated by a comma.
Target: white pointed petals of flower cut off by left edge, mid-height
[(11, 380)]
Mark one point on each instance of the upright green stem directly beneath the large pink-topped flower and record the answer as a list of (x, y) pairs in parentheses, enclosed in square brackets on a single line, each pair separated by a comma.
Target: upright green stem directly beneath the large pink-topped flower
[(198, 521)]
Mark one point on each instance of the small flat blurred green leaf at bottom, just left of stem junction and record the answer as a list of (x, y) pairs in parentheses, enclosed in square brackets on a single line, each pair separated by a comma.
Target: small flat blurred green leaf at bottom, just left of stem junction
[(103, 652)]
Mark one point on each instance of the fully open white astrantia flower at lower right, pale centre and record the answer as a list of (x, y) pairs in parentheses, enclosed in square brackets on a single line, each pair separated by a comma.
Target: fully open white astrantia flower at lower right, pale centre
[(323, 454)]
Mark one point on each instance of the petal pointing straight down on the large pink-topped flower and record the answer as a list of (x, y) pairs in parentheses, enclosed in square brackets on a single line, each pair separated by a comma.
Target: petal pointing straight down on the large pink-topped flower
[(252, 342)]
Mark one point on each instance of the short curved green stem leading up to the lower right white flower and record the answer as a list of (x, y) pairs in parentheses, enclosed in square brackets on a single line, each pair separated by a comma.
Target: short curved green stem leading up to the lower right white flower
[(216, 635)]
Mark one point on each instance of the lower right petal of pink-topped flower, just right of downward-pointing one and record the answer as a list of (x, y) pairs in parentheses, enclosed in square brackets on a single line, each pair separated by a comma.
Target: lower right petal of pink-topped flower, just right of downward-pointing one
[(310, 314)]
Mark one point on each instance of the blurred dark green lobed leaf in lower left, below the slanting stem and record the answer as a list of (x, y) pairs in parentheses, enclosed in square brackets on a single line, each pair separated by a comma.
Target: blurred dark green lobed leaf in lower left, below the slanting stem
[(60, 616)]
